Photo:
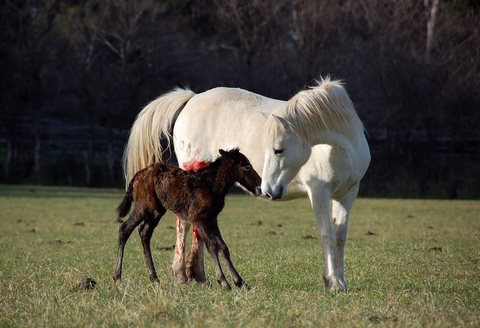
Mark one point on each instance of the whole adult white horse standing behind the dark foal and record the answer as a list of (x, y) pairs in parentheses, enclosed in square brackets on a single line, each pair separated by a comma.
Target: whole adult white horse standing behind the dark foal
[(311, 145)]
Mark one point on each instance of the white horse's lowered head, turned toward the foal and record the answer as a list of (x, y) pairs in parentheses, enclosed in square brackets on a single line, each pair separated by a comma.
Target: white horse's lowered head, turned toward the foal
[(285, 154)]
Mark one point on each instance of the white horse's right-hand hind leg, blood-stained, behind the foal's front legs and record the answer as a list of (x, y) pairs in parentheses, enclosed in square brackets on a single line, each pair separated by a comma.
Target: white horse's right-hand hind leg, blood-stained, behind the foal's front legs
[(195, 259)]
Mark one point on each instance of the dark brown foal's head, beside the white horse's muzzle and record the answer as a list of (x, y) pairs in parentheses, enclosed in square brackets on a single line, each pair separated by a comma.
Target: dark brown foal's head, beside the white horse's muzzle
[(243, 171)]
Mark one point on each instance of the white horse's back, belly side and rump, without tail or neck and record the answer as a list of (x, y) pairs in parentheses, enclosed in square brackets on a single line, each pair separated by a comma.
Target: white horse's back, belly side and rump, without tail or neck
[(222, 118)]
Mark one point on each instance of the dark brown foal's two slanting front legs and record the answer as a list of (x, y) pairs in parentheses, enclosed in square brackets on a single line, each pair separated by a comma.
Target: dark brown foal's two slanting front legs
[(215, 246)]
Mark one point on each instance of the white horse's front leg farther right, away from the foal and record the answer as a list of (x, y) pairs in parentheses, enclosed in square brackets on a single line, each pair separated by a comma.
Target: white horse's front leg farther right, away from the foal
[(341, 211)]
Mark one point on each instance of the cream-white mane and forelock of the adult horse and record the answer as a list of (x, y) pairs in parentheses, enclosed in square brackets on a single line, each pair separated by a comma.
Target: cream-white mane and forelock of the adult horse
[(325, 106)]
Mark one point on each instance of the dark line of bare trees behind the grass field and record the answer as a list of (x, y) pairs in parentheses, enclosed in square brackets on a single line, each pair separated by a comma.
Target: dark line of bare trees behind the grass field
[(74, 74)]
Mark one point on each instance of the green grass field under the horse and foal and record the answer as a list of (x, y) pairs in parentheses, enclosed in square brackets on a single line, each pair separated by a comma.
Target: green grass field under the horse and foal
[(408, 263)]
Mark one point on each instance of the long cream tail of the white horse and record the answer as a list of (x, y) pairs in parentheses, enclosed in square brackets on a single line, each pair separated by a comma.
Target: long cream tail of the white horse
[(154, 121)]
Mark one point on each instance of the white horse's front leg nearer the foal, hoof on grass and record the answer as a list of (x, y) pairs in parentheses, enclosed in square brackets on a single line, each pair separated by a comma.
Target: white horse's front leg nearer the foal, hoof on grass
[(320, 200)]
